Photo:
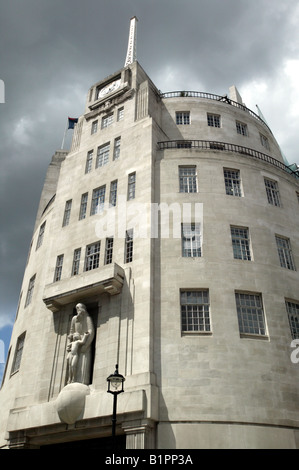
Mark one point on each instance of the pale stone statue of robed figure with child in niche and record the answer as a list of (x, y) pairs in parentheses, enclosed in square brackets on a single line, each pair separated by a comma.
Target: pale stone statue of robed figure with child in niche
[(79, 356)]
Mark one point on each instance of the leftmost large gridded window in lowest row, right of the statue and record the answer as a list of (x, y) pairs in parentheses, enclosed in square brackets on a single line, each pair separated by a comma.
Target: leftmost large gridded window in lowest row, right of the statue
[(195, 311)]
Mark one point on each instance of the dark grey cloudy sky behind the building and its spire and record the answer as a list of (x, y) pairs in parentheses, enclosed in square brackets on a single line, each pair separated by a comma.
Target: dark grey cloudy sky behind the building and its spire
[(52, 51)]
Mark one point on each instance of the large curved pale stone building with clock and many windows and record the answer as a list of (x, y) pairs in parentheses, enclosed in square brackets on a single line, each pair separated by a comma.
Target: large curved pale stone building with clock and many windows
[(174, 219)]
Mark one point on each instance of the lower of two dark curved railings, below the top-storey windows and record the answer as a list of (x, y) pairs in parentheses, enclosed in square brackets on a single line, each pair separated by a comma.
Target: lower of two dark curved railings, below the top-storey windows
[(224, 146)]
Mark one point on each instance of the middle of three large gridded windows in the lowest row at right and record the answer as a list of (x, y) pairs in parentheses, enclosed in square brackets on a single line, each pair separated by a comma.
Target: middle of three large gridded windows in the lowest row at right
[(250, 314)]
